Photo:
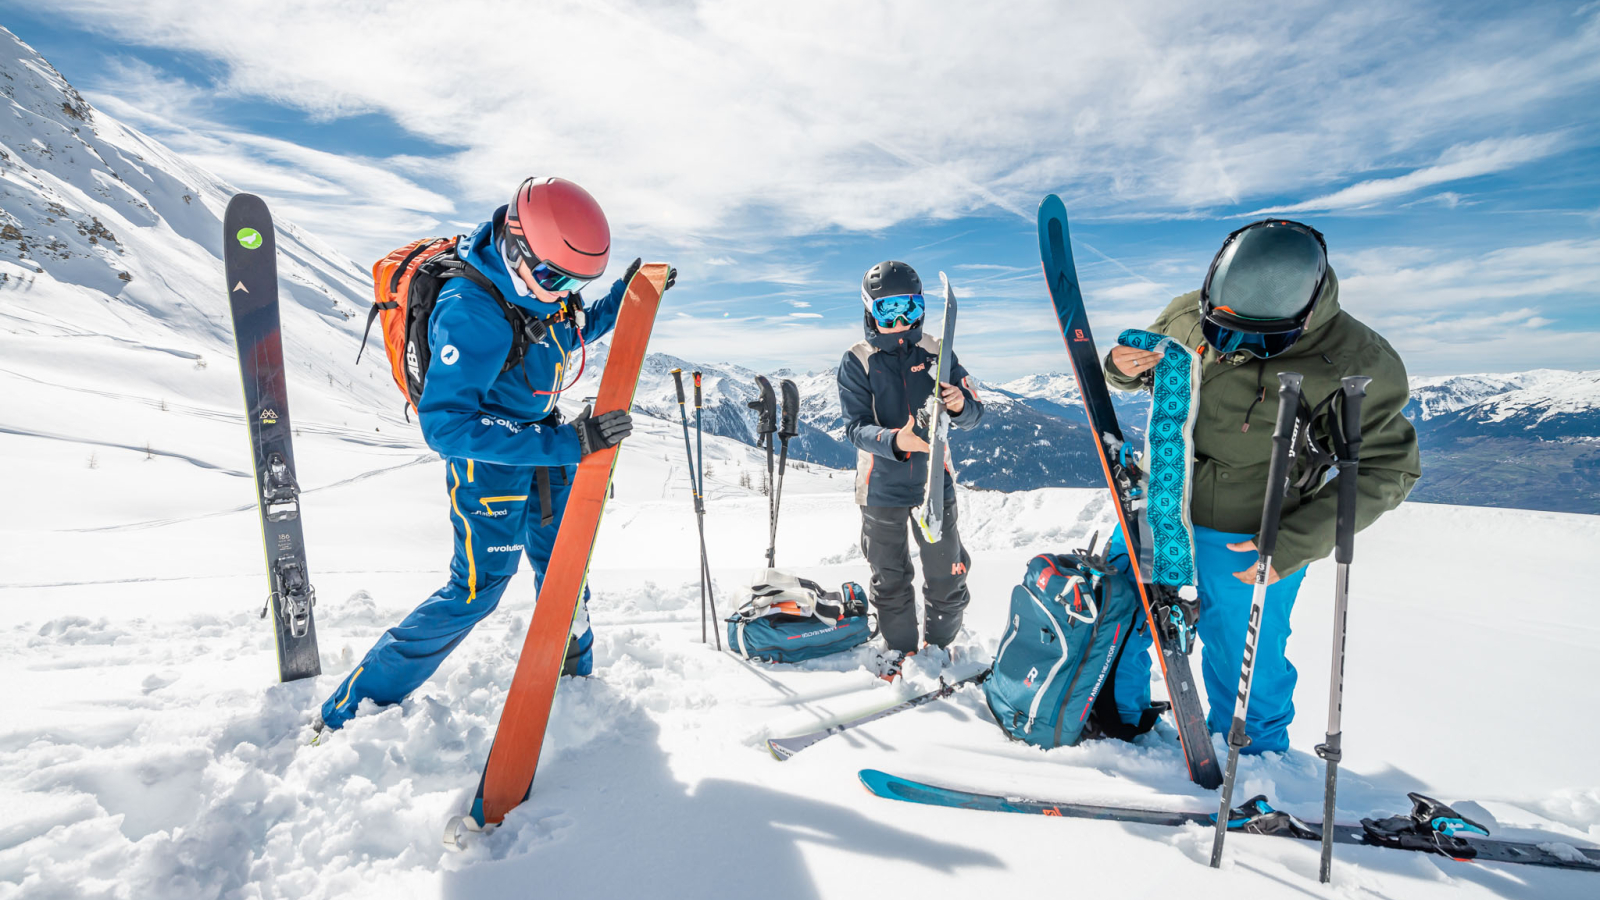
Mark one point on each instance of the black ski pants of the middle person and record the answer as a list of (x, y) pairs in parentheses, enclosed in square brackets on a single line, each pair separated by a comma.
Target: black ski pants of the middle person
[(945, 566)]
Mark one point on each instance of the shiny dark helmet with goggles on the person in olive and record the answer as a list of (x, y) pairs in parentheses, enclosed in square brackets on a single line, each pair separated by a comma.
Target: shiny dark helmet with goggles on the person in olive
[(1263, 287)]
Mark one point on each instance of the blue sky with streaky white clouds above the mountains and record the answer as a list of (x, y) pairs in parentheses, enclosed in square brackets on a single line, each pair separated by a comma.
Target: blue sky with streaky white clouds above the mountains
[(1449, 151)]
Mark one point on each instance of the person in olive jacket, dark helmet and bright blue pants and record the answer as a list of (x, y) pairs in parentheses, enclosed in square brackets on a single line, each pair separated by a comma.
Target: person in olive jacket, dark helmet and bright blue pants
[(1270, 305)]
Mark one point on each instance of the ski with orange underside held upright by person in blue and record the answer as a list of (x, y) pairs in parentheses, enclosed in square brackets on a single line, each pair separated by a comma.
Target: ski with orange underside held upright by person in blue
[(514, 757)]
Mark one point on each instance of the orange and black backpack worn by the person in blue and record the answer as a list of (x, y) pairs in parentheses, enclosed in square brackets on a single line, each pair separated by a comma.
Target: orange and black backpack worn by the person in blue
[(406, 287)]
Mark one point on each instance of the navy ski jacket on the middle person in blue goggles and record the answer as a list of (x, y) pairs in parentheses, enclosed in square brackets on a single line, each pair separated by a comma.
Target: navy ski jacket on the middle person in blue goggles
[(884, 382)]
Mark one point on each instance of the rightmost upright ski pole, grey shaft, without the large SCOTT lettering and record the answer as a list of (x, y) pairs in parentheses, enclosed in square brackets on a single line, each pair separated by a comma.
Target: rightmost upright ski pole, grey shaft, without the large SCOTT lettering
[(1354, 392)]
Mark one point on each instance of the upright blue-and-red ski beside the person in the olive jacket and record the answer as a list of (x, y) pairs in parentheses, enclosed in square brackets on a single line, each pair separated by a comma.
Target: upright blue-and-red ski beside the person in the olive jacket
[(1169, 614)]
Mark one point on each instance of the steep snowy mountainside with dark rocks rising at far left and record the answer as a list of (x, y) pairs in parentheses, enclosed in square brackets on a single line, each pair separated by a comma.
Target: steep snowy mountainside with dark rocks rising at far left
[(111, 273)]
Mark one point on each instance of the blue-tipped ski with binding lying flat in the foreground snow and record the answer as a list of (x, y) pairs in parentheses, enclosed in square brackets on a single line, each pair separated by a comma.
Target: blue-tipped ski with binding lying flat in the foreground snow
[(1431, 827)]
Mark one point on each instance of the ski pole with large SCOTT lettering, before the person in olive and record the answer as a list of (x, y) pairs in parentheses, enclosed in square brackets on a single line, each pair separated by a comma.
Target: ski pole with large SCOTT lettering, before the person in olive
[(1284, 440)]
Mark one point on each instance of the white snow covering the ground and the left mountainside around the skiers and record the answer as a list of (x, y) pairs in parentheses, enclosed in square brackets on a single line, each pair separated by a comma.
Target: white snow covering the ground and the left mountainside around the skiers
[(146, 752)]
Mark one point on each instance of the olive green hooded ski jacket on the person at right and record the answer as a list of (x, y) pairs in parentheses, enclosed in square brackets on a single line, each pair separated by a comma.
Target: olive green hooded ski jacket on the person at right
[(1239, 403)]
